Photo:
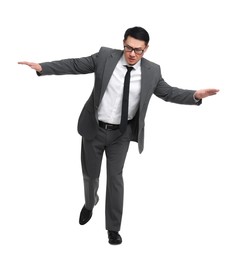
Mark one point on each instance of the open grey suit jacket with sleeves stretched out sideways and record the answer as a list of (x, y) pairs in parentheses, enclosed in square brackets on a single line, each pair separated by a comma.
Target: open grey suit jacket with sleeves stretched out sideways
[(102, 64)]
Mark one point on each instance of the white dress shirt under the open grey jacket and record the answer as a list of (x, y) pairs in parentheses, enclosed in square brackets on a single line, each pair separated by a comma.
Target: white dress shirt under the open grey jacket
[(110, 107)]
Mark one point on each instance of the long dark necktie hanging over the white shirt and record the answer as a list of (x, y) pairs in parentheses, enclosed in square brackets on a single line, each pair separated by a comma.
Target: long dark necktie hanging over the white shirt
[(125, 103)]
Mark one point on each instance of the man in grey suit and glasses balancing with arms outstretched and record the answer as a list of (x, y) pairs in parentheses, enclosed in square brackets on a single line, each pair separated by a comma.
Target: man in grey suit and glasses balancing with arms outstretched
[(114, 115)]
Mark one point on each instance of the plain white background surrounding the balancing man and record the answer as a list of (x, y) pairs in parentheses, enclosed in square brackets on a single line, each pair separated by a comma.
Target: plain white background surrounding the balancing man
[(182, 194)]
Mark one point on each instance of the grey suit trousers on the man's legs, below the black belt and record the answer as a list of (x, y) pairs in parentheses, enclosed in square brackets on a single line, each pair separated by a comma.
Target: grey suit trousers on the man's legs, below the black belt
[(115, 146)]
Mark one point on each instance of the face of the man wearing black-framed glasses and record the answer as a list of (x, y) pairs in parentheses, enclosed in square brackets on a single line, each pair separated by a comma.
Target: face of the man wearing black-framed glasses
[(134, 50)]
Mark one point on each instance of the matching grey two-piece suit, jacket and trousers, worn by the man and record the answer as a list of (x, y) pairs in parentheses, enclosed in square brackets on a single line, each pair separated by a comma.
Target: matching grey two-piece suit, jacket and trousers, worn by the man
[(103, 64)]
